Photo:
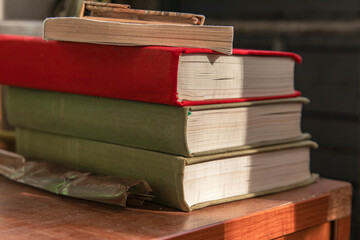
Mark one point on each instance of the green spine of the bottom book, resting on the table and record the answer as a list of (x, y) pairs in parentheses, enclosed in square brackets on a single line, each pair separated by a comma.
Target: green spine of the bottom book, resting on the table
[(163, 172)]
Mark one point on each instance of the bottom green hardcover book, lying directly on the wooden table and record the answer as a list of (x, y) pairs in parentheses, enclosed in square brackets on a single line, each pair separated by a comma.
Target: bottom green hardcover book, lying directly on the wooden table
[(180, 182)]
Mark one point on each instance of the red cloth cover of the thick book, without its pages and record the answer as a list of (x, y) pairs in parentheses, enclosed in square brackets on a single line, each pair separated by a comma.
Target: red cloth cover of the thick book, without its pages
[(147, 74)]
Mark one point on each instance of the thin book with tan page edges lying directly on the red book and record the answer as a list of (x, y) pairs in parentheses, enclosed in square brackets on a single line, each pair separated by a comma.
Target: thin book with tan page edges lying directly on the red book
[(76, 29)]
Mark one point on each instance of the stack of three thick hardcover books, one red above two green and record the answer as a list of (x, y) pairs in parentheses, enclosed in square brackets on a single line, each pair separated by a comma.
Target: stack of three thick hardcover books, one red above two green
[(200, 127)]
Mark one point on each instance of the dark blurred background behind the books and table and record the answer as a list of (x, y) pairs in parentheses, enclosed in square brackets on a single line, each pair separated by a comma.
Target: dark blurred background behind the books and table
[(324, 32)]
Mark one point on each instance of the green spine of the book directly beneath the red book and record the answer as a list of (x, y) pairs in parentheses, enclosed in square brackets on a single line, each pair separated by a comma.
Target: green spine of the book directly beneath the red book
[(142, 125)]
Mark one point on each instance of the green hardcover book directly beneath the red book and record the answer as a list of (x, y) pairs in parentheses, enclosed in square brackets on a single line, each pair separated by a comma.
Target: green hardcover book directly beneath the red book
[(185, 131)]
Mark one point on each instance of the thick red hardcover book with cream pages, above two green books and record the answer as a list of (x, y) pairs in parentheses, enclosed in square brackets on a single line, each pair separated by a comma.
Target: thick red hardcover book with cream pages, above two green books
[(149, 74)]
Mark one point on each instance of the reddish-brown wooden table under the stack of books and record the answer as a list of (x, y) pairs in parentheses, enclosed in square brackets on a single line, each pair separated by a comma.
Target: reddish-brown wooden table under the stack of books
[(318, 211)]
